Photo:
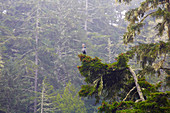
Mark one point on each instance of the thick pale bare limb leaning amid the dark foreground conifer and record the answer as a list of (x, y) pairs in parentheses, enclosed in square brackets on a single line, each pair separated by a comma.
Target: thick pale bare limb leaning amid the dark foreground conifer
[(137, 85)]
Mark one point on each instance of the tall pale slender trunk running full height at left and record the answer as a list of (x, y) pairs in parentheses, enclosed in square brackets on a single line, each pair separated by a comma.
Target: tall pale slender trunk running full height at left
[(36, 57)]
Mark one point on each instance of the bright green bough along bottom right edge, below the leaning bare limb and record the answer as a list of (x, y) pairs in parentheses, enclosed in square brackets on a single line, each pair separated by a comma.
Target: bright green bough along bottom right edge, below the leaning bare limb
[(156, 103)]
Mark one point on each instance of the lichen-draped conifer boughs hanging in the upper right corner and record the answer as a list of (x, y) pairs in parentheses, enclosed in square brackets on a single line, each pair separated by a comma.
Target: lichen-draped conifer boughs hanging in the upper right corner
[(153, 57)]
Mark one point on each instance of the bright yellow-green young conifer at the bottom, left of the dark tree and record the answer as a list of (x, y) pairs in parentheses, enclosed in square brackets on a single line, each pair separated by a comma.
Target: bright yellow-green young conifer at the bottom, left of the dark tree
[(68, 101)]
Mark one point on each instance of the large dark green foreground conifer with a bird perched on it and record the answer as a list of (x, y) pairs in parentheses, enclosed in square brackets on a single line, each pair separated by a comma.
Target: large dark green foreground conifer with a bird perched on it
[(119, 80)]
